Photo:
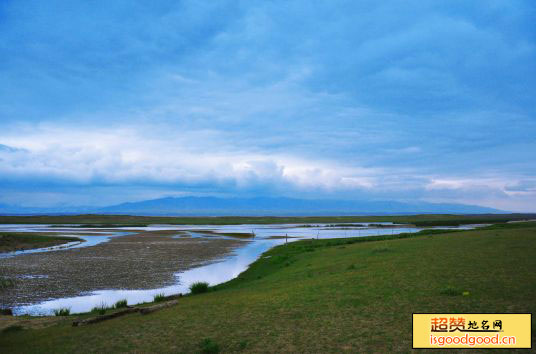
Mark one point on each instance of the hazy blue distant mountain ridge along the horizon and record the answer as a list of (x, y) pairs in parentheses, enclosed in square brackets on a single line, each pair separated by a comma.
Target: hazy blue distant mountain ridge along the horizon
[(258, 206)]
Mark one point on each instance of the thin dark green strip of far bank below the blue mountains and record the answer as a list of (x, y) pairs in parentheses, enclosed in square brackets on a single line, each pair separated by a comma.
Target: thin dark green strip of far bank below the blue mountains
[(128, 220)]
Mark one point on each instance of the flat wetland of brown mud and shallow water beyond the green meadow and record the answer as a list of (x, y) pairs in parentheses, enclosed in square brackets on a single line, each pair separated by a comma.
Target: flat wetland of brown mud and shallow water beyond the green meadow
[(79, 266)]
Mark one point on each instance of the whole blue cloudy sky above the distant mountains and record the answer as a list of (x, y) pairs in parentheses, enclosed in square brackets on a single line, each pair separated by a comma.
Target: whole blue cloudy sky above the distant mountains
[(104, 102)]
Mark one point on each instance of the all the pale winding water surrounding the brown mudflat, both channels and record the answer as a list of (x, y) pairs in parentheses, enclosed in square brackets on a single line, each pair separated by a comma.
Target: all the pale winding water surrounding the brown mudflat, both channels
[(256, 240)]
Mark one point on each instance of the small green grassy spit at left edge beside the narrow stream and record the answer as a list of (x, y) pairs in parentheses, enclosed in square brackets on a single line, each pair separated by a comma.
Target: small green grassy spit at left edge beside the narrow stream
[(15, 241)]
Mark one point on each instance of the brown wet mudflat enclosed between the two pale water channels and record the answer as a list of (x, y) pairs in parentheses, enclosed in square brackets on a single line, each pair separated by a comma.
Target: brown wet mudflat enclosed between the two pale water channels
[(144, 260)]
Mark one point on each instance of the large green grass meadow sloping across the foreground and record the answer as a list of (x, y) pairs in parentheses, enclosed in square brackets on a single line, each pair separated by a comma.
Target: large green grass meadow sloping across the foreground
[(354, 295)]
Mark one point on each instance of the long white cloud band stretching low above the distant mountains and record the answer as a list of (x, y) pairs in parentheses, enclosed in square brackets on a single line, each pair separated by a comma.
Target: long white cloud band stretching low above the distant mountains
[(137, 157)]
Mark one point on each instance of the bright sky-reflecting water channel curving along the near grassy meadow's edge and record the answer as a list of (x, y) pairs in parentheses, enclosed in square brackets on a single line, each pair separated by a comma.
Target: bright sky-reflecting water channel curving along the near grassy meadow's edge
[(220, 271)]
